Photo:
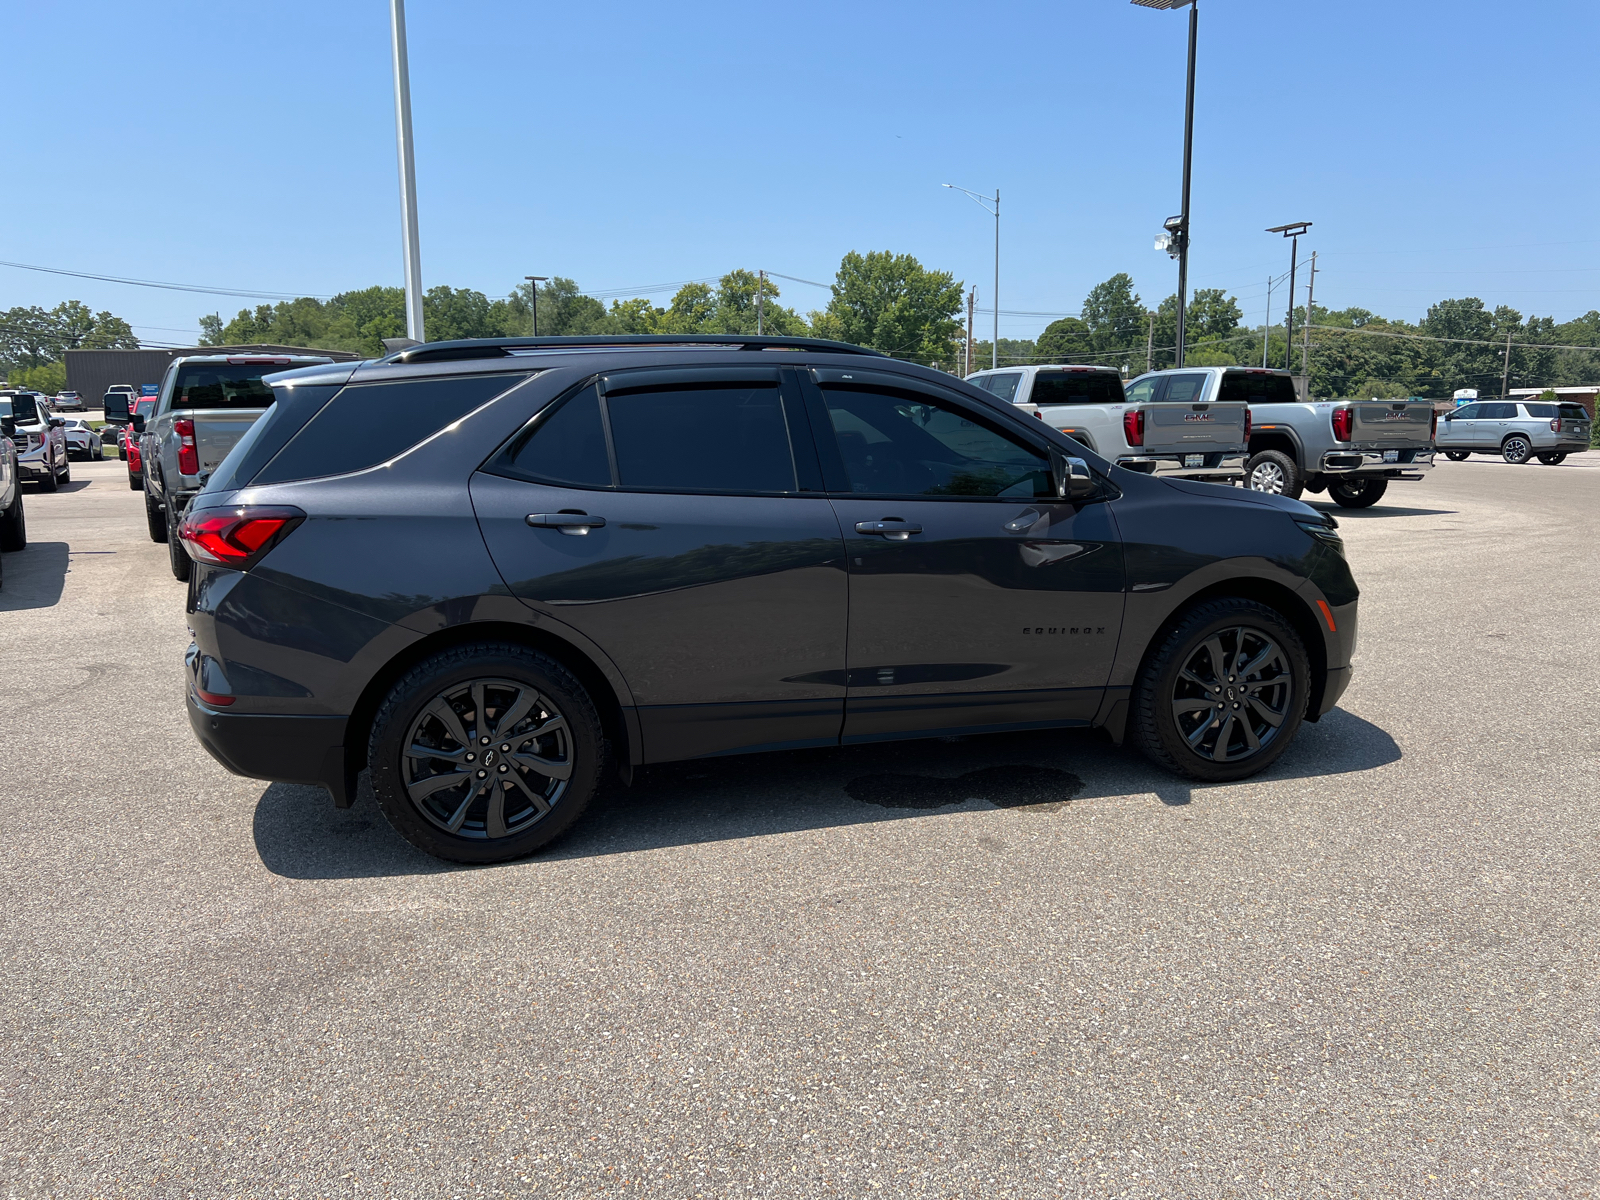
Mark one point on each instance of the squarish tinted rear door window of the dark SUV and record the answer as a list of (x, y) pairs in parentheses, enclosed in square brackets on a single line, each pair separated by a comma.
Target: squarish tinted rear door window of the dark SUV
[(702, 438)]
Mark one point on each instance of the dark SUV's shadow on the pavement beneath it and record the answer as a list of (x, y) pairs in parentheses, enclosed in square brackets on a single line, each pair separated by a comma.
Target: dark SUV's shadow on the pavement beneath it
[(302, 836)]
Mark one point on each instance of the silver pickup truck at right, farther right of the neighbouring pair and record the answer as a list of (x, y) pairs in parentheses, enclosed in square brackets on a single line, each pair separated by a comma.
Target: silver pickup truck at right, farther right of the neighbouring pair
[(1350, 449)]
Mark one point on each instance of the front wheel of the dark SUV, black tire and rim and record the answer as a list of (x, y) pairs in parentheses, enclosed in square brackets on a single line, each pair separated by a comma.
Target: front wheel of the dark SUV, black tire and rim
[(1182, 663)]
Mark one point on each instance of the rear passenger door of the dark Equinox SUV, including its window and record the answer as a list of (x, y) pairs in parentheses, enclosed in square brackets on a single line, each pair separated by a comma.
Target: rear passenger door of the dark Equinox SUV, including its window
[(676, 519)]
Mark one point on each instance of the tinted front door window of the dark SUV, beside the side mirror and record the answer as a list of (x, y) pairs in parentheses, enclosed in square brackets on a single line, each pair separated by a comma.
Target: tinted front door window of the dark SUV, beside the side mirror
[(897, 446)]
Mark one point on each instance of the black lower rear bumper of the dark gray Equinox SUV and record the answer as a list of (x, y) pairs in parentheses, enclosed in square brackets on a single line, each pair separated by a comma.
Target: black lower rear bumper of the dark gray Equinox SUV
[(281, 750)]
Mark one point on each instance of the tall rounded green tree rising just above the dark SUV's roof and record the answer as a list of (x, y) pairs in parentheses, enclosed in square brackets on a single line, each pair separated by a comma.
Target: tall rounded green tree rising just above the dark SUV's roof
[(892, 303)]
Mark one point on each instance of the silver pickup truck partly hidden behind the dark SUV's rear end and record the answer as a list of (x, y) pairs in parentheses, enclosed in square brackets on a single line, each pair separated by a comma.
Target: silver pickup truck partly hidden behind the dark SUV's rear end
[(206, 407)]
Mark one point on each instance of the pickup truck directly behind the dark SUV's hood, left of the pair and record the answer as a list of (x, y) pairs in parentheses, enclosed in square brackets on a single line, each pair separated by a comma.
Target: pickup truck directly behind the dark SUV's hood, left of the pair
[(1169, 431)]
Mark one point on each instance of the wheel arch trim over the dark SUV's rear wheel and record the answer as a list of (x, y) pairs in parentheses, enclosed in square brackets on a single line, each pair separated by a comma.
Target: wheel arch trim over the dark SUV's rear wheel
[(617, 721)]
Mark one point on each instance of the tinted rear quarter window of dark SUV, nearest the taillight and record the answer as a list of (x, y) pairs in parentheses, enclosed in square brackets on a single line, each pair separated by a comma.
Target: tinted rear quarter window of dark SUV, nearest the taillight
[(367, 425)]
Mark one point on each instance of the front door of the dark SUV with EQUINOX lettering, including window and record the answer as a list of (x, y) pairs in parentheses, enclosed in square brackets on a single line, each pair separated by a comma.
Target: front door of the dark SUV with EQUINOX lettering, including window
[(977, 598)]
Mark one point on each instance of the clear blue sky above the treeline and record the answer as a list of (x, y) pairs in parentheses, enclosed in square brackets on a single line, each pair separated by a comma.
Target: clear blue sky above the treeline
[(1441, 150)]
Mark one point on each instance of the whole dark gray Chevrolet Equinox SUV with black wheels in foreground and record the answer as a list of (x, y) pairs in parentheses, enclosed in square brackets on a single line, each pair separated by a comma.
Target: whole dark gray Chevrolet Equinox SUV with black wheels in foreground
[(495, 570)]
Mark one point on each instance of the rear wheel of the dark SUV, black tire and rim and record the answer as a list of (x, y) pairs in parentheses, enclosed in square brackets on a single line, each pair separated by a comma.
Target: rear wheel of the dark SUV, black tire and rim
[(558, 719)]
